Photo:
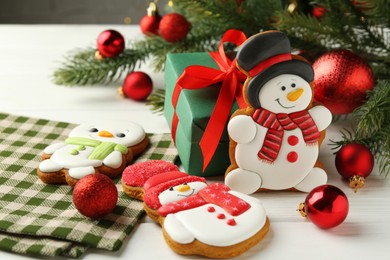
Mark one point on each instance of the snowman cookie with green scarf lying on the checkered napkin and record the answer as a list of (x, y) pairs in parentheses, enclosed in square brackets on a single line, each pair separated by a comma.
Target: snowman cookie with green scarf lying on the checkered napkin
[(92, 148)]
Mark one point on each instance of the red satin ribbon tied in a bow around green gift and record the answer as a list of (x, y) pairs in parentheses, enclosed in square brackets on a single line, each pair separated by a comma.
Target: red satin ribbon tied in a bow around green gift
[(197, 77)]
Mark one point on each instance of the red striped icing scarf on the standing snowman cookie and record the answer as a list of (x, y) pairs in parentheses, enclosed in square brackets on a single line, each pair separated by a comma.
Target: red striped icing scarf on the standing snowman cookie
[(277, 123)]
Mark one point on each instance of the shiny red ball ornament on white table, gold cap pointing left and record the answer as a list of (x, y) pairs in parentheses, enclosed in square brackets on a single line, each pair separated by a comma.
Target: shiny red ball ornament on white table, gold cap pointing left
[(326, 206)]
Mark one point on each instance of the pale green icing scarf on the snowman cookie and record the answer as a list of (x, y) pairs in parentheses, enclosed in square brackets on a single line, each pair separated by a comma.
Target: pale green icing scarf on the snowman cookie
[(102, 149)]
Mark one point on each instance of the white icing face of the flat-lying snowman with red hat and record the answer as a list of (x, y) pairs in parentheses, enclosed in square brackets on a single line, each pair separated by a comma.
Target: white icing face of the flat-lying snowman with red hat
[(173, 195)]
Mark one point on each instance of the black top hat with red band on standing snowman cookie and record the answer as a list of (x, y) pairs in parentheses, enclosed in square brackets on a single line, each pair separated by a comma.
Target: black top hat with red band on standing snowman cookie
[(265, 56)]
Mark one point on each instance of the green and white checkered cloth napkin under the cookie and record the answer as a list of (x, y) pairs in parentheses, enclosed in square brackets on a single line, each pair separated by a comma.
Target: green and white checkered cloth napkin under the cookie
[(40, 219)]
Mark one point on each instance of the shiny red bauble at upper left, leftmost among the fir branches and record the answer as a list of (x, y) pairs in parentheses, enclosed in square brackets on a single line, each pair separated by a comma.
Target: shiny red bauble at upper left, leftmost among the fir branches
[(110, 43)]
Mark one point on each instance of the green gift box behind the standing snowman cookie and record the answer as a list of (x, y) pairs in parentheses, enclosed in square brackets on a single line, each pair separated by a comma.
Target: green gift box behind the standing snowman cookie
[(193, 109)]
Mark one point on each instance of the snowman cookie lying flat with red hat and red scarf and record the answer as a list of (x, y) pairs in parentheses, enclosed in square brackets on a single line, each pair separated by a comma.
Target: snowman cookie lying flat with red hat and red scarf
[(201, 219)]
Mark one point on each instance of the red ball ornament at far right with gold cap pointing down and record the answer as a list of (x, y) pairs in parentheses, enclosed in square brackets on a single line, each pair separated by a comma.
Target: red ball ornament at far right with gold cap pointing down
[(354, 162)]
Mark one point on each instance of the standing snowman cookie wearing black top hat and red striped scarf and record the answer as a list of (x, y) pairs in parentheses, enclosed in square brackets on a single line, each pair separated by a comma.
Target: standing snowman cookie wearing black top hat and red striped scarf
[(275, 141)]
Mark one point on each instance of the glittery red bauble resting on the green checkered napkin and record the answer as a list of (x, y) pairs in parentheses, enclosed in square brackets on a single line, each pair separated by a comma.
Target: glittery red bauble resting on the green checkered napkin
[(95, 195)]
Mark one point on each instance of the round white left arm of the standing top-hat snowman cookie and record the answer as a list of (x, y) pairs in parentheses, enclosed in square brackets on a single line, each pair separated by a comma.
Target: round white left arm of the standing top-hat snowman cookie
[(242, 129)]
